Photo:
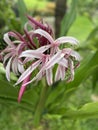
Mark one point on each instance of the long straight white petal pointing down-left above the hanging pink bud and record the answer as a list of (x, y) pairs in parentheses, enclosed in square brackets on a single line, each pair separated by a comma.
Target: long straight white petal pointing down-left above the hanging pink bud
[(28, 71)]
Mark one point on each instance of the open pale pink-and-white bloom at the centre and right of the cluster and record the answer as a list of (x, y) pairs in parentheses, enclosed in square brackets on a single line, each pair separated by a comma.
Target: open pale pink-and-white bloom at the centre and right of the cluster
[(53, 56)]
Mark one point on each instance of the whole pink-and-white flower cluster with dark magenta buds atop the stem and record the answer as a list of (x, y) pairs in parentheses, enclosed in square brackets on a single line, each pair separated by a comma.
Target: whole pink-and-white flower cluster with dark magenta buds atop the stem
[(36, 54)]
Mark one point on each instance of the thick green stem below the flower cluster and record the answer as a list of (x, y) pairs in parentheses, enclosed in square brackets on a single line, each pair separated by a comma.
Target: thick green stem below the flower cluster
[(40, 106)]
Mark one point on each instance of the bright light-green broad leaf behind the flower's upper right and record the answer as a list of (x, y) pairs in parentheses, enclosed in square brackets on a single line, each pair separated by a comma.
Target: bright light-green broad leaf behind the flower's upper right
[(81, 29)]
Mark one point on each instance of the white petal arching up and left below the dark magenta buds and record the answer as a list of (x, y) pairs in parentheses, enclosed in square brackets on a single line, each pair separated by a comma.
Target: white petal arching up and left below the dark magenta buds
[(45, 34)]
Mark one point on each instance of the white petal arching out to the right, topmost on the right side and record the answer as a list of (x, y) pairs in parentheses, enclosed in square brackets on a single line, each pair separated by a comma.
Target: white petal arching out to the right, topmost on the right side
[(70, 40)]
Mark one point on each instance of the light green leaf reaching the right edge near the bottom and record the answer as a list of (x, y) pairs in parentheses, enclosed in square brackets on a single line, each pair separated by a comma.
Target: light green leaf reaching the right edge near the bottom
[(89, 110)]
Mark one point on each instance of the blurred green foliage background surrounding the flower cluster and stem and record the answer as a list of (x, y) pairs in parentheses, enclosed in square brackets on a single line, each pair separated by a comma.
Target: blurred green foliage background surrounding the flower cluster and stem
[(72, 106)]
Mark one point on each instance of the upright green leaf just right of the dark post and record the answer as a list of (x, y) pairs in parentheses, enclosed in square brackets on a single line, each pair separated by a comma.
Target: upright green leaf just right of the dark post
[(69, 18)]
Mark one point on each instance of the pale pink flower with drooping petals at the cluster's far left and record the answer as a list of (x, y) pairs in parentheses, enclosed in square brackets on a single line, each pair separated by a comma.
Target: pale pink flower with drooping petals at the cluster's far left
[(11, 60)]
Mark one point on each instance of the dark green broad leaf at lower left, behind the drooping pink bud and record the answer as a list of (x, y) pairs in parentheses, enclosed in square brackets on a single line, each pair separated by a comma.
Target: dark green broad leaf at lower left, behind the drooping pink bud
[(9, 95)]
